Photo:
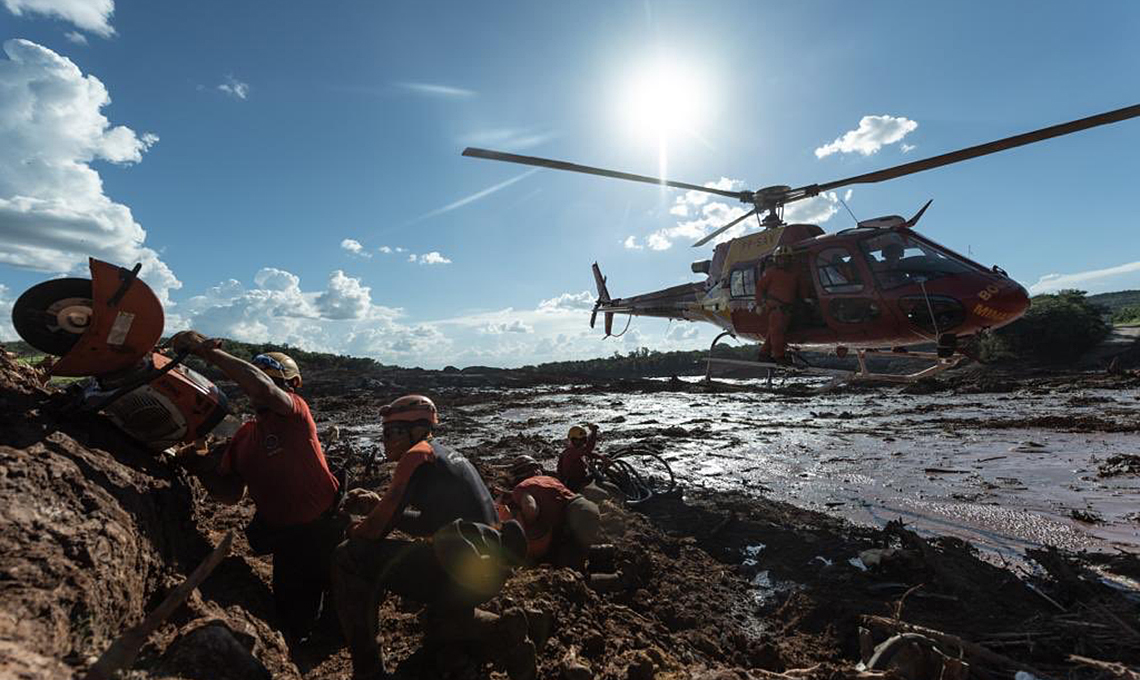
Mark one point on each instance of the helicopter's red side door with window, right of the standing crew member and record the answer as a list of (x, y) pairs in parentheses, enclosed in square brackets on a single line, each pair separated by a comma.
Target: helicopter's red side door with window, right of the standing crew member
[(849, 299)]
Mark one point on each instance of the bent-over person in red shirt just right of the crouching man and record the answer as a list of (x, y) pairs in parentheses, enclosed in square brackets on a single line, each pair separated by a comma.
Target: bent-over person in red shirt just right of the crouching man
[(560, 524)]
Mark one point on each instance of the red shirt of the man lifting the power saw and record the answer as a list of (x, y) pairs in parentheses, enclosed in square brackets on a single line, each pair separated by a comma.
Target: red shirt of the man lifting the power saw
[(280, 459)]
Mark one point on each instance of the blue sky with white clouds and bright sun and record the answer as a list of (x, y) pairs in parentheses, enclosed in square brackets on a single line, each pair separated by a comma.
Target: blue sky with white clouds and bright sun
[(291, 172)]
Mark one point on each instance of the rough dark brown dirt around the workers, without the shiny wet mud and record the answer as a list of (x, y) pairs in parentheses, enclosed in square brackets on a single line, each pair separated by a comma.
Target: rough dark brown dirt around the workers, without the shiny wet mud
[(96, 531)]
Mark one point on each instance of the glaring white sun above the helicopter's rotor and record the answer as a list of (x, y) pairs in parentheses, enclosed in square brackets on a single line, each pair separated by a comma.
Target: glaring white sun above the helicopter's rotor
[(663, 102)]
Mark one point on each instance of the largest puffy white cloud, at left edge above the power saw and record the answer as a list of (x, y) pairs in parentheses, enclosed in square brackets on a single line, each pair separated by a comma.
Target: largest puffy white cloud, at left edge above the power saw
[(53, 212)]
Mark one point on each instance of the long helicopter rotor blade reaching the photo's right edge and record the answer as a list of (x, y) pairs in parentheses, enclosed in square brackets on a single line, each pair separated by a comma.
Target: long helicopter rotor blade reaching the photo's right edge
[(973, 152)]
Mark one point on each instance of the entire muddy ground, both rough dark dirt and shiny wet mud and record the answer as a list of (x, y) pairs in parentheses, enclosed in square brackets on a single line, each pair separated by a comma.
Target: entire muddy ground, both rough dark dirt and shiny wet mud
[(755, 569)]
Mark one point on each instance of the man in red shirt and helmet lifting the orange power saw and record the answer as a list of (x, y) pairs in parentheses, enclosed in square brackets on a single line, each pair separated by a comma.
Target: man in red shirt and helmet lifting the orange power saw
[(278, 457)]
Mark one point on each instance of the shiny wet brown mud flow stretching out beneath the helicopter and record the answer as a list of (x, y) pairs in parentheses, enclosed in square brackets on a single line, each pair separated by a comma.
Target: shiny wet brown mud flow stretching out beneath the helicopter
[(1006, 472)]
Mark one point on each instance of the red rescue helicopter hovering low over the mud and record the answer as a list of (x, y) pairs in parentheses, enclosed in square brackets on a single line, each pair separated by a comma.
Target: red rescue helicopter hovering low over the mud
[(876, 289)]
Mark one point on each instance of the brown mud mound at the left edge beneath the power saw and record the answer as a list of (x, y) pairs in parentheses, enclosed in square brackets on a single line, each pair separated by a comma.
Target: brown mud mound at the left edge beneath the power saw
[(94, 532)]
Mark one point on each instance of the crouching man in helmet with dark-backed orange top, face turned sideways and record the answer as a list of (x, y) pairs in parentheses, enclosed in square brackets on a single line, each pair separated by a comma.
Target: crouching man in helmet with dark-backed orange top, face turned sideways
[(461, 560)]
